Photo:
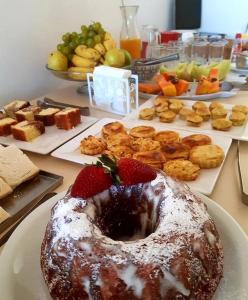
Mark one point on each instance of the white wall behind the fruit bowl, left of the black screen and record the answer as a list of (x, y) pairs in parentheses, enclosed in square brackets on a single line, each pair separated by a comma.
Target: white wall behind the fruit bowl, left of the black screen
[(30, 29)]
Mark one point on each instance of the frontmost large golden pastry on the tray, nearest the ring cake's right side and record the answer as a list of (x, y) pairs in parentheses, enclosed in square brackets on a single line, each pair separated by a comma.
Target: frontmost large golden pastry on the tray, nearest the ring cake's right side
[(181, 169)]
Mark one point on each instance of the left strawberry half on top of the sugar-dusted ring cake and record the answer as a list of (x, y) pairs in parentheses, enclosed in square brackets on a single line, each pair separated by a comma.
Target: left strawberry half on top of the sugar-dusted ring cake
[(90, 181)]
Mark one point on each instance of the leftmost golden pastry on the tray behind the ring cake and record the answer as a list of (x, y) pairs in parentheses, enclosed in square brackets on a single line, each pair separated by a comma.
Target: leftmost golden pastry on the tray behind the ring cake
[(92, 145)]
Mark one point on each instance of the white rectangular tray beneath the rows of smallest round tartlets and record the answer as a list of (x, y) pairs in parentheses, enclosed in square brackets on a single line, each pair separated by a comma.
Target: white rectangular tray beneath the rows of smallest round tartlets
[(236, 132)]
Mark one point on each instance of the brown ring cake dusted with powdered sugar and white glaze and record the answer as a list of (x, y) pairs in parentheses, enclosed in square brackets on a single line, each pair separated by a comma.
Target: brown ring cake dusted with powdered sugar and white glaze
[(182, 228)]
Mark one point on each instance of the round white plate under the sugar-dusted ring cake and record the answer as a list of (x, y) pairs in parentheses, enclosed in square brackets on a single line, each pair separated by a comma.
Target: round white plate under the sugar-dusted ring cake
[(21, 278)]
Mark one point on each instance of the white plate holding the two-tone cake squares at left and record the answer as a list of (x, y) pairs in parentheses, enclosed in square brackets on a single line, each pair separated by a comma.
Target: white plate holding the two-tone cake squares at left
[(51, 139)]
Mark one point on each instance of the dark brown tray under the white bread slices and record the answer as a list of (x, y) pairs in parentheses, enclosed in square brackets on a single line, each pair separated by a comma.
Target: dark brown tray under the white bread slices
[(27, 195)]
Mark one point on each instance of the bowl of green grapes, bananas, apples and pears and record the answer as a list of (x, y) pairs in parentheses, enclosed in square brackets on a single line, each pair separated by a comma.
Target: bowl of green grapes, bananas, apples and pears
[(79, 53)]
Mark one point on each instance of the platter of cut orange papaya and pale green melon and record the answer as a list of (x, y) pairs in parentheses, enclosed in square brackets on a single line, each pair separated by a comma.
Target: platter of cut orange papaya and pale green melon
[(194, 83)]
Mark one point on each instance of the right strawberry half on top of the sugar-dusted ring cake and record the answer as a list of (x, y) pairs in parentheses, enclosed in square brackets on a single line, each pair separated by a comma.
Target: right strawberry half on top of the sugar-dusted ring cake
[(131, 171)]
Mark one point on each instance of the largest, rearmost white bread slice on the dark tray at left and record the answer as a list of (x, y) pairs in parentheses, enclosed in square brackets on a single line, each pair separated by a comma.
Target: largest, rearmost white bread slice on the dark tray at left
[(15, 166)]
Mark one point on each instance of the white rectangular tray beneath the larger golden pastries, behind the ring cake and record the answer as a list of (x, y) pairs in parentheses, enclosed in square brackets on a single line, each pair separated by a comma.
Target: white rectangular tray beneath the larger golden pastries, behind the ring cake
[(204, 183)]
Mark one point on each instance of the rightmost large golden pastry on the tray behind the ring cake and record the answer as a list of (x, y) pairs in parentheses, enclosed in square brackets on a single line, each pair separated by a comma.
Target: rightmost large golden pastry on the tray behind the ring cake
[(207, 156)]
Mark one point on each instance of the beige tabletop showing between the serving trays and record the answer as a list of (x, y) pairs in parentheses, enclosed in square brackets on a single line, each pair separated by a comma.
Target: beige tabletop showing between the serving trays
[(227, 191)]
